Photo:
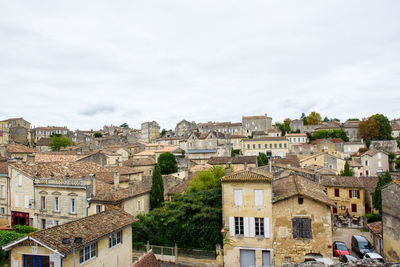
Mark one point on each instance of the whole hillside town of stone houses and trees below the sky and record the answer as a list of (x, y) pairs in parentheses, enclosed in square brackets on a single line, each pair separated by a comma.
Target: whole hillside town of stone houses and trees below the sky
[(252, 192)]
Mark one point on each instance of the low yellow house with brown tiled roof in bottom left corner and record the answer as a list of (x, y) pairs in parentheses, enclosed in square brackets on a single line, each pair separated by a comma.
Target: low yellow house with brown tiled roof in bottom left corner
[(97, 240)]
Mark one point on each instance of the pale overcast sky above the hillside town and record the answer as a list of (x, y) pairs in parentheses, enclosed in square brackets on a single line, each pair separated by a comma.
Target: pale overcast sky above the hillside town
[(86, 64)]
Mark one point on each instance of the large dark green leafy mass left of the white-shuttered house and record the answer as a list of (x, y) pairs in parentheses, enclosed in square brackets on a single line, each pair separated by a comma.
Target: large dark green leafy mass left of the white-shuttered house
[(191, 220)]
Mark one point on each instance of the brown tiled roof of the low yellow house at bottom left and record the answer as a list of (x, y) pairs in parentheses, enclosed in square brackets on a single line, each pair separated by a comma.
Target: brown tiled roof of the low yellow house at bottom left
[(89, 228)]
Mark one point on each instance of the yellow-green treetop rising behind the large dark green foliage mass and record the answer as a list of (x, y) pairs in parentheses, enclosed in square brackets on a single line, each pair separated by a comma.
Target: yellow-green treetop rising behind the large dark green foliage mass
[(208, 179)]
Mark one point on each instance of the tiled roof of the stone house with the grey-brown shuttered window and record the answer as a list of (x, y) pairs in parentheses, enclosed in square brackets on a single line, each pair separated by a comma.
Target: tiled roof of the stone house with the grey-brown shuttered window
[(295, 185)]
